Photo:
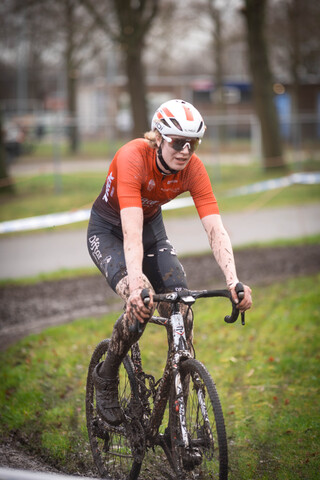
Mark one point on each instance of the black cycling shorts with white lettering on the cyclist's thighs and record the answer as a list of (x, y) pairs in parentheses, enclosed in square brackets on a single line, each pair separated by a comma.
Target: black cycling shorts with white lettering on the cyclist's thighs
[(160, 263)]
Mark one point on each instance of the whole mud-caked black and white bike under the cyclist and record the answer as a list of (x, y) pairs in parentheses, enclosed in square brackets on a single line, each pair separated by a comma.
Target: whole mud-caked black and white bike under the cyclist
[(145, 406)]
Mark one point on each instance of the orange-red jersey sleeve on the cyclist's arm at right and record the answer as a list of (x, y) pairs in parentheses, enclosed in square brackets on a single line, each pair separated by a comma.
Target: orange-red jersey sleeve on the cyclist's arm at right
[(201, 190)]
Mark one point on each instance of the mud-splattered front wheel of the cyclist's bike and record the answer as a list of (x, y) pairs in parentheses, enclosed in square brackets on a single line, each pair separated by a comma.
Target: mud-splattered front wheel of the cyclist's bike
[(207, 455)]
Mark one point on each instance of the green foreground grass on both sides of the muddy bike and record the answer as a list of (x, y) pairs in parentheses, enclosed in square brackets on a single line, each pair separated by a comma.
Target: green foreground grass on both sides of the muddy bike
[(266, 374)]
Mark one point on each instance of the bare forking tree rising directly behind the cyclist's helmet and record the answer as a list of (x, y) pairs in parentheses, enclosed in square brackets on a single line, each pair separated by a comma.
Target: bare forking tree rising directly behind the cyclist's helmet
[(127, 23)]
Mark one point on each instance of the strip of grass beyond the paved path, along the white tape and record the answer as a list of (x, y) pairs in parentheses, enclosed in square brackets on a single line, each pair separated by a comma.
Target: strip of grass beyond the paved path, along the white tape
[(43, 194)]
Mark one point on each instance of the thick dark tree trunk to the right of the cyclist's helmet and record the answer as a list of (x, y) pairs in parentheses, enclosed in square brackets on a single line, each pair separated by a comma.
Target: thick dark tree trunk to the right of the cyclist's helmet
[(254, 12)]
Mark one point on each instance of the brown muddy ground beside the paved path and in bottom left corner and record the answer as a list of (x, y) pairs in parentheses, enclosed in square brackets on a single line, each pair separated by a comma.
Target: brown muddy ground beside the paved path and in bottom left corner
[(29, 309)]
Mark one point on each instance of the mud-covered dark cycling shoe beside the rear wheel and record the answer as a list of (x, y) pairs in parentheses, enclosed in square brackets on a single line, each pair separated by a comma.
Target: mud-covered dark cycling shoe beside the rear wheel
[(107, 398)]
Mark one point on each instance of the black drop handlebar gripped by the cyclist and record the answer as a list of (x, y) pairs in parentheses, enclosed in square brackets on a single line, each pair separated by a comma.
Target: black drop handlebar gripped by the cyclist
[(188, 297)]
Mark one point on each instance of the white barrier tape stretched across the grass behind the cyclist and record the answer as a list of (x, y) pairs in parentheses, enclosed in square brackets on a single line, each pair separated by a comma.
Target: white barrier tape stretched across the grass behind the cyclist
[(65, 218)]
